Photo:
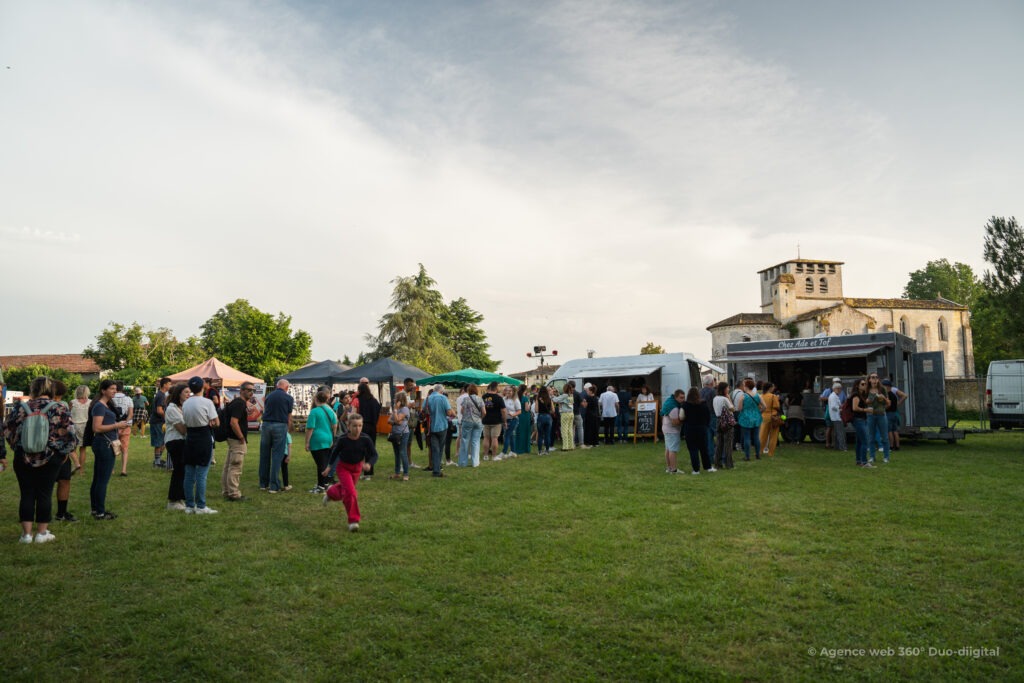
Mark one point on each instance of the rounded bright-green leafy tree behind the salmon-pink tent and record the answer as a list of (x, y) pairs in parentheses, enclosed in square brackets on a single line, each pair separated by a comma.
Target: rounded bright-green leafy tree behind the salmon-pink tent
[(255, 343)]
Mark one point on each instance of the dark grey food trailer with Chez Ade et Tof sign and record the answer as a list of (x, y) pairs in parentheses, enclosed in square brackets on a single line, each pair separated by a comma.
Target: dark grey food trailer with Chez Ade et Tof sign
[(807, 366)]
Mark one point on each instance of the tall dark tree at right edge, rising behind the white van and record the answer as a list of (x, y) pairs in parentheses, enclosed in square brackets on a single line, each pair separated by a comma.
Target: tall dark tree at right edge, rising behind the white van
[(999, 321)]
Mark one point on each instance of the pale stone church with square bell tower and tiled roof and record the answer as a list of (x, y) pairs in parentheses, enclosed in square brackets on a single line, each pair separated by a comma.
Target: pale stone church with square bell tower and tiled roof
[(804, 298)]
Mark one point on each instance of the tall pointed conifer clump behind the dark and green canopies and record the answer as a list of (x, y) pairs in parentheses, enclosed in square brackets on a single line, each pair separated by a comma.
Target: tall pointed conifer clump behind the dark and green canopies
[(424, 332)]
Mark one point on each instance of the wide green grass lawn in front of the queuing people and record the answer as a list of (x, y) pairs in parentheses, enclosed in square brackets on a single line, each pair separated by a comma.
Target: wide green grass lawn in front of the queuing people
[(584, 566)]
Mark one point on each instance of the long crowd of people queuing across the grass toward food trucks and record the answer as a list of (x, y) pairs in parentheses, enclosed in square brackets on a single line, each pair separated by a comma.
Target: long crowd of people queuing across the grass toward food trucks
[(51, 439)]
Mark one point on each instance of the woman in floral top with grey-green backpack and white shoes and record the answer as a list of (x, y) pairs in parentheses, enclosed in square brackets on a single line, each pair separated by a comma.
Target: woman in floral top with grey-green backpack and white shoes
[(41, 437)]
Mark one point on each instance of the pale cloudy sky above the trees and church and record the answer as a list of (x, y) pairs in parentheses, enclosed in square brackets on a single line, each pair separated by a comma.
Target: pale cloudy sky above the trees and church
[(586, 175)]
